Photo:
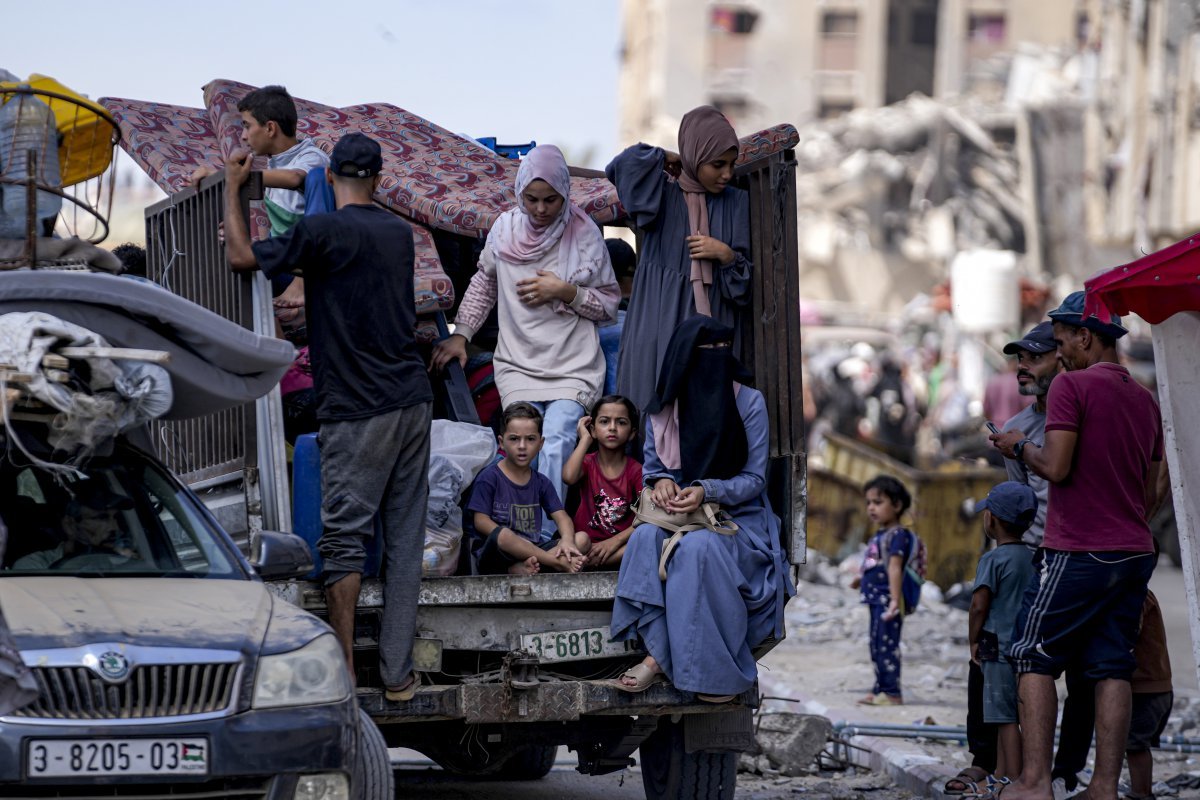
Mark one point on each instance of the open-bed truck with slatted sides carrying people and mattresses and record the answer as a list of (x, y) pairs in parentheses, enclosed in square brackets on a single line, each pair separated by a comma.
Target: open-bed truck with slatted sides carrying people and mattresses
[(514, 667)]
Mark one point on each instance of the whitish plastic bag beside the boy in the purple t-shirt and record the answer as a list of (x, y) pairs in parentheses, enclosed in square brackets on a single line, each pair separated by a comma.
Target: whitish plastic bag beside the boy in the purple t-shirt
[(458, 454)]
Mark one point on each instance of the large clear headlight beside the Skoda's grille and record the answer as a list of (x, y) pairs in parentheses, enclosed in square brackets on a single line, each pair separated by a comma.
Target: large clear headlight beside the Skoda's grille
[(314, 675)]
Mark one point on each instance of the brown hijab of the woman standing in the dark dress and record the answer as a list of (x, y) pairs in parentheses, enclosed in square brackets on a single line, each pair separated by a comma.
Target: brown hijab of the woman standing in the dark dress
[(704, 135)]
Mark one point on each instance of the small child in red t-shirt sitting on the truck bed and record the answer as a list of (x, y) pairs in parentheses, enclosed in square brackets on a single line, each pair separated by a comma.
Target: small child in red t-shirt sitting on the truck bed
[(610, 482)]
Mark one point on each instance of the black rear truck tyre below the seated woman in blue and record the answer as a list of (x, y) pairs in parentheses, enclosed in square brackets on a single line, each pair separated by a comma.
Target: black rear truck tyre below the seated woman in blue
[(670, 773)]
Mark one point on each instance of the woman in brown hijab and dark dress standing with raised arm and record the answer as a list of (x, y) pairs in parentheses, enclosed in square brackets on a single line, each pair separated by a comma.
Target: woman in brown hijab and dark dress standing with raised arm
[(695, 257)]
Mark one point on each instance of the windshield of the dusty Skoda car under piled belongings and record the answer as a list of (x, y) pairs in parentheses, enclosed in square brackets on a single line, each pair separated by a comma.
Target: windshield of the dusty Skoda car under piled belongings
[(124, 518)]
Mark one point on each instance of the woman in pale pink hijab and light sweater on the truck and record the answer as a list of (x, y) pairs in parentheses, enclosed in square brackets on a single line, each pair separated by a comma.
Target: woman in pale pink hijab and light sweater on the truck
[(547, 269)]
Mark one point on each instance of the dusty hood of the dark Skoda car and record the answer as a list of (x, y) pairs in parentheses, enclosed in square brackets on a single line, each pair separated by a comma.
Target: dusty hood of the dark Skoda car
[(62, 612)]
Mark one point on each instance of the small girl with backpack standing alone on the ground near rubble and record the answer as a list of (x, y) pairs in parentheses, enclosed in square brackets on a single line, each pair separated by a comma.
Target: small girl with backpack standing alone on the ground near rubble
[(881, 581)]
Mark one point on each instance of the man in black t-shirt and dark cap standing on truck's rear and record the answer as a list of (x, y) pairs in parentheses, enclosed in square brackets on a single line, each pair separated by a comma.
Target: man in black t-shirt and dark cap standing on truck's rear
[(374, 396)]
